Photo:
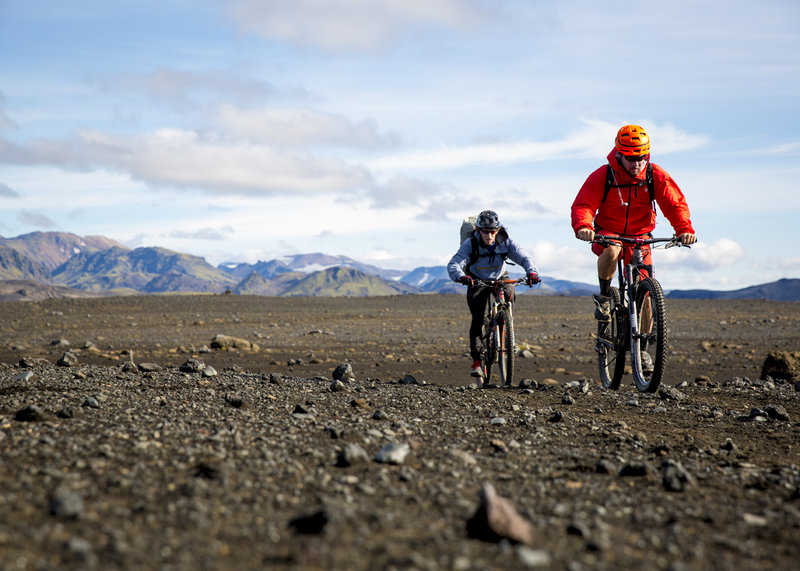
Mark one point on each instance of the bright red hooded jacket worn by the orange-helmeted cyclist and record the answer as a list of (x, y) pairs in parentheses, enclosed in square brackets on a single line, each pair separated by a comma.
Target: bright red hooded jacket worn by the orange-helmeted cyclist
[(627, 211)]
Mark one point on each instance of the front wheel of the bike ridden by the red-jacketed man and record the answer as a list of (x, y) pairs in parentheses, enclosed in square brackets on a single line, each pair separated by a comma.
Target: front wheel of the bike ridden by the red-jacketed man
[(649, 341)]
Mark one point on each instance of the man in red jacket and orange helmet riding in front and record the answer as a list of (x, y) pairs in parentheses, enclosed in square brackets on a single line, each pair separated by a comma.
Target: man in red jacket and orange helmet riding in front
[(624, 206)]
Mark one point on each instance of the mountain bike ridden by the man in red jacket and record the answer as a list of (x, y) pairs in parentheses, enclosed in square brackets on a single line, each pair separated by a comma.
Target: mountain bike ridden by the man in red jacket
[(638, 322)]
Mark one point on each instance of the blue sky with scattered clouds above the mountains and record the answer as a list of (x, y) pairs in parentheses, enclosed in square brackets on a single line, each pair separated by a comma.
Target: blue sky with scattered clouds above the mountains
[(246, 130)]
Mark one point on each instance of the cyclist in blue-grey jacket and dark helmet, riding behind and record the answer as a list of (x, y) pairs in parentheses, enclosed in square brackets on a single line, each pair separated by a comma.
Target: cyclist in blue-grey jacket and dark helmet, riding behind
[(483, 256)]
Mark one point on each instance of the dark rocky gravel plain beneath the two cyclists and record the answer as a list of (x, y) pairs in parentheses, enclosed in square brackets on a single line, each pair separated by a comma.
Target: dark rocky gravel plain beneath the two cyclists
[(207, 432)]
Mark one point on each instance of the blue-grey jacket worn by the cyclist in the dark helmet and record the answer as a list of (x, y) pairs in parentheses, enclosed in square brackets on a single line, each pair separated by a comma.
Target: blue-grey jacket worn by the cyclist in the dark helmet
[(490, 264)]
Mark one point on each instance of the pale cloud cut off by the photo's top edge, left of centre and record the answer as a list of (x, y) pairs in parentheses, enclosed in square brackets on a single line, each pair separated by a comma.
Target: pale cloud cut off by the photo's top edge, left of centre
[(348, 25)]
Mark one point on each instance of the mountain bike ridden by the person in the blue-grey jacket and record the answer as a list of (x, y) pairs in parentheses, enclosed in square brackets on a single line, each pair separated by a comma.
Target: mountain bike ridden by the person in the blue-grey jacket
[(497, 336)]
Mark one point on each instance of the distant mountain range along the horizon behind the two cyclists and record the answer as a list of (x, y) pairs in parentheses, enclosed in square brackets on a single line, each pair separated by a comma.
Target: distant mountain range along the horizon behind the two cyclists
[(59, 264)]
